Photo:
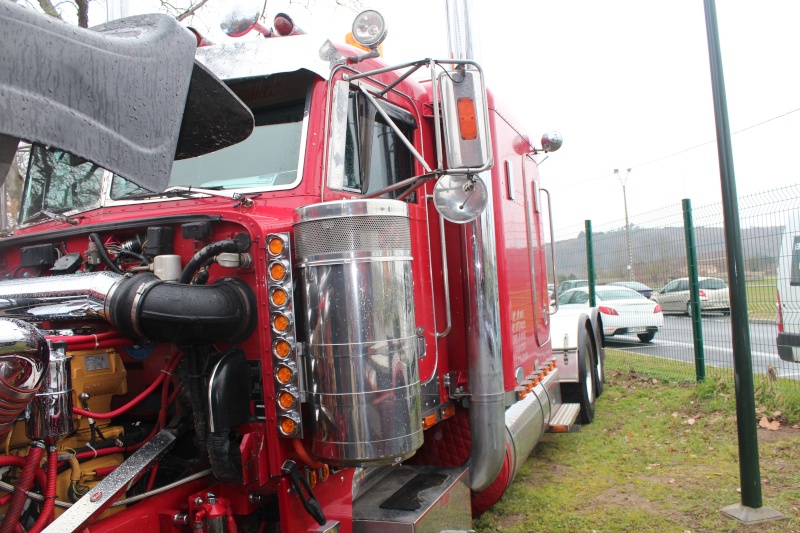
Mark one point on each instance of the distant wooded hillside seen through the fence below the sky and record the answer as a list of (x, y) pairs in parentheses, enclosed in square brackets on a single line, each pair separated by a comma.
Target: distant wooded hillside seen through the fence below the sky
[(659, 254)]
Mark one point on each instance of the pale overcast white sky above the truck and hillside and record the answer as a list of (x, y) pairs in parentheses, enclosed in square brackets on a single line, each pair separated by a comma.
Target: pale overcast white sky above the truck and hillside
[(627, 83)]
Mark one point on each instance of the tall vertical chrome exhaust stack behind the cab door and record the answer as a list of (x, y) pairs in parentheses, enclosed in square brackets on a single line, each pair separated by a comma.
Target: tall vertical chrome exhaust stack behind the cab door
[(484, 349)]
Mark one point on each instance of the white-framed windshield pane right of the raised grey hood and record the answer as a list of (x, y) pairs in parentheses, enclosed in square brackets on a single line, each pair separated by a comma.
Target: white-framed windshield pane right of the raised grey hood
[(270, 158)]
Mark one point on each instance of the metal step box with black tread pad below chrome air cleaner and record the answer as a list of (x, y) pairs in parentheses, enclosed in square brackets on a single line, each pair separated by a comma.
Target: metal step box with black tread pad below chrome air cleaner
[(442, 504)]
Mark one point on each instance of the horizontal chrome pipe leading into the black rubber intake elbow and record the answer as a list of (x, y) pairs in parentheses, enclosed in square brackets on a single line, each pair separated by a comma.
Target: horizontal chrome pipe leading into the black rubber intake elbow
[(78, 294)]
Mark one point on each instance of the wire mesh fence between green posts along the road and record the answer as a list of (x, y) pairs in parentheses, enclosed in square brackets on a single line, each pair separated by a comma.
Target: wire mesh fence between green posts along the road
[(657, 257)]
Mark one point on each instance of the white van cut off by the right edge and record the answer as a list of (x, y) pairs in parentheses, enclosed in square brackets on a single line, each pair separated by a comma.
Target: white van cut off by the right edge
[(788, 339)]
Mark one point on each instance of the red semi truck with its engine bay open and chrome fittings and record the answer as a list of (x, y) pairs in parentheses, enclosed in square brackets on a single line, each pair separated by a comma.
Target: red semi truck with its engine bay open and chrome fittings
[(330, 313)]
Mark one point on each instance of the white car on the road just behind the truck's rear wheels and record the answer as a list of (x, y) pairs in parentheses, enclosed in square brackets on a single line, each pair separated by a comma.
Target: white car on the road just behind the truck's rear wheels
[(624, 311)]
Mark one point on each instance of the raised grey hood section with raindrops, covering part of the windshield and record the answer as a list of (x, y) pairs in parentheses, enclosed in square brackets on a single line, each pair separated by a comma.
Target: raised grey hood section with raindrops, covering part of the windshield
[(127, 95)]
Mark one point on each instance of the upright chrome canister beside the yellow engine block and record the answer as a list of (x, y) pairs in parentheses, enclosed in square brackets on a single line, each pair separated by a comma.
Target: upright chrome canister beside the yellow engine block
[(50, 413)]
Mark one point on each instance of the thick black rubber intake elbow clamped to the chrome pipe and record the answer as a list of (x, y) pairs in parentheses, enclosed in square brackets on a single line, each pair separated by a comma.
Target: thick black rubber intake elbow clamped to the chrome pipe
[(145, 307)]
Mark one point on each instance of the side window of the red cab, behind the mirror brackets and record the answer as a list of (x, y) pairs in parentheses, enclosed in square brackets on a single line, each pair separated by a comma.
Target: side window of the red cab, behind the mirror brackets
[(375, 156)]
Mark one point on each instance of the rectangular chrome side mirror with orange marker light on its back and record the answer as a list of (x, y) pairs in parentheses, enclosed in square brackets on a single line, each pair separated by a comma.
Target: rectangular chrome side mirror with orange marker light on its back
[(465, 115)]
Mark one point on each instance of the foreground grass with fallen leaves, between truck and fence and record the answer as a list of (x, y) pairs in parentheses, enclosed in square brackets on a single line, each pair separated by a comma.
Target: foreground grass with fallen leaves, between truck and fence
[(662, 455)]
